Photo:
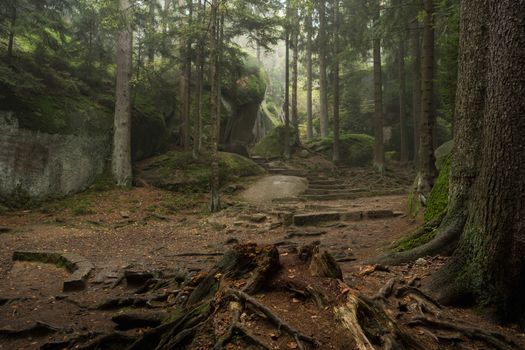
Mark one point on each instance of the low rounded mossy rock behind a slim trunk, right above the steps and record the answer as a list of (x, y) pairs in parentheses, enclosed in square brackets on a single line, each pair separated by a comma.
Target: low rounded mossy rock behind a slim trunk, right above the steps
[(355, 149)]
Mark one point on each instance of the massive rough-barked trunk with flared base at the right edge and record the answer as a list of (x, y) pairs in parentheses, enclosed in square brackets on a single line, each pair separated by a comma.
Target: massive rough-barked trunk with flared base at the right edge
[(489, 263)]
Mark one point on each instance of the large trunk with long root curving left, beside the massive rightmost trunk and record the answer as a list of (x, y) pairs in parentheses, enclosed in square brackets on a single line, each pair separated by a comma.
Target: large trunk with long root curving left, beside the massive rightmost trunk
[(467, 142)]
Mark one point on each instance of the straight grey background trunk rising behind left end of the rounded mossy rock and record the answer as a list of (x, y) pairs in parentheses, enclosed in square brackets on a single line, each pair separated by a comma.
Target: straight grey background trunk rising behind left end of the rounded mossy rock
[(323, 84)]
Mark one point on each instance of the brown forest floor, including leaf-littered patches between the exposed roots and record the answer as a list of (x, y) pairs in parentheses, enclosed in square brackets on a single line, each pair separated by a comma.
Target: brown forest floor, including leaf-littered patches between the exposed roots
[(145, 229)]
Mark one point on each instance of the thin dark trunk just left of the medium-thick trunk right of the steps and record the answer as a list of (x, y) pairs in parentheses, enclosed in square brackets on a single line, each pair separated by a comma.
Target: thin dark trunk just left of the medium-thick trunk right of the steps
[(416, 86)]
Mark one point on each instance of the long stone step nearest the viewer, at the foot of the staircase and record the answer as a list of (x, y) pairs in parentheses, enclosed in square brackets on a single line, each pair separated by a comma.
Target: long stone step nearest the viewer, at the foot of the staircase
[(310, 219)]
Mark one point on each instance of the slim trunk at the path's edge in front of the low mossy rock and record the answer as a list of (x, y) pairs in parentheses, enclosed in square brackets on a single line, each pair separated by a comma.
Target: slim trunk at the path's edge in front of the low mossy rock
[(214, 106)]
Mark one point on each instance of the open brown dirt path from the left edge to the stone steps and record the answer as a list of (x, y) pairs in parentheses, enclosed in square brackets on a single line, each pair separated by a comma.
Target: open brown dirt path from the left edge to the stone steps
[(146, 229)]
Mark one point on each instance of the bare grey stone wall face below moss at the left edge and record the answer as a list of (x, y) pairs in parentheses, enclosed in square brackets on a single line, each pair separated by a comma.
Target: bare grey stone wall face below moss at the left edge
[(40, 164)]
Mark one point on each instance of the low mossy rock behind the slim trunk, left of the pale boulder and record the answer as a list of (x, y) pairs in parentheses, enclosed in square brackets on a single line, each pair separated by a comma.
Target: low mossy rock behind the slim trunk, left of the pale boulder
[(179, 171)]
